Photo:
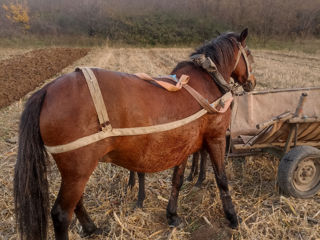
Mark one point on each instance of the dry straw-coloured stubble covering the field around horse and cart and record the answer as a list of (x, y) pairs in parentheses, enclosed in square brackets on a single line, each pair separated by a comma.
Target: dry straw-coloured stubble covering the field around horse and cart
[(265, 214)]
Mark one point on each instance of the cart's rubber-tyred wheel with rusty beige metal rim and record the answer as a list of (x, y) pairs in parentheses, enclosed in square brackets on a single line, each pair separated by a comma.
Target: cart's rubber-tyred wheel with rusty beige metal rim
[(299, 172)]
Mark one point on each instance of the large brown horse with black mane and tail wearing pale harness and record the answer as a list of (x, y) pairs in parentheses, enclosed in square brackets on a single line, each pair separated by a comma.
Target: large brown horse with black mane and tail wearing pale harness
[(63, 111)]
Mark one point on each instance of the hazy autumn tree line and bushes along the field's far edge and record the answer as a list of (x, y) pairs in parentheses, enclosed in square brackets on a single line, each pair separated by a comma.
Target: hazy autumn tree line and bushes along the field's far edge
[(160, 22)]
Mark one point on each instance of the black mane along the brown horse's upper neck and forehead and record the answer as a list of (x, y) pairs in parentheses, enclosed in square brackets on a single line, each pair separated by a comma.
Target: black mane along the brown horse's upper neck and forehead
[(220, 49)]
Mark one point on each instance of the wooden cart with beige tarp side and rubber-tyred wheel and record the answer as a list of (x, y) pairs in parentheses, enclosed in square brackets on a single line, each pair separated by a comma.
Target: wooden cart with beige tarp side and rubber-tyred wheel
[(286, 123)]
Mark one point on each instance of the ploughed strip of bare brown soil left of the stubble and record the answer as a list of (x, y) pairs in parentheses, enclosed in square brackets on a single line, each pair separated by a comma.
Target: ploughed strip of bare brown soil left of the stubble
[(22, 73)]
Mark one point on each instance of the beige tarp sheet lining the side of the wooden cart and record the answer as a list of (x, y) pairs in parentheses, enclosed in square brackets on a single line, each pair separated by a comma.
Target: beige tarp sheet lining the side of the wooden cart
[(258, 107)]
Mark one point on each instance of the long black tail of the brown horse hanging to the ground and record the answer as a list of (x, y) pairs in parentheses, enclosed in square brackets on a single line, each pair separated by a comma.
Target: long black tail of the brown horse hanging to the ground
[(31, 193)]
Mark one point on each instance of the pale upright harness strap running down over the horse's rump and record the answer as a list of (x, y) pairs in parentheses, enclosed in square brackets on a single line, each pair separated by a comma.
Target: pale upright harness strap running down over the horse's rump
[(97, 98)]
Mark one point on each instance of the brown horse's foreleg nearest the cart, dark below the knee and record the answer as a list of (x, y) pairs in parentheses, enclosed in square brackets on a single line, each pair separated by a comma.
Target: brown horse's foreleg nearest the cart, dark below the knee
[(216, 148)]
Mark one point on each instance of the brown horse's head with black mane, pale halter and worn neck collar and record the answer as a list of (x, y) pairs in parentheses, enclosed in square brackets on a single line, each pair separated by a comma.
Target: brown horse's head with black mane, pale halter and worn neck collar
[(227, 56)]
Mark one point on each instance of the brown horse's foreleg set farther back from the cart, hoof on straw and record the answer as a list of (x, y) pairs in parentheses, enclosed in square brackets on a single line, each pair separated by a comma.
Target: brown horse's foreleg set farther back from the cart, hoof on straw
[(177, 181)]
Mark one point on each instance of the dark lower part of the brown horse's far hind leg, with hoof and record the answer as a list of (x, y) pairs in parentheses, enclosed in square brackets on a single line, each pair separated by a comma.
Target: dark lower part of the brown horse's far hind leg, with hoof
[(87, 224)]
